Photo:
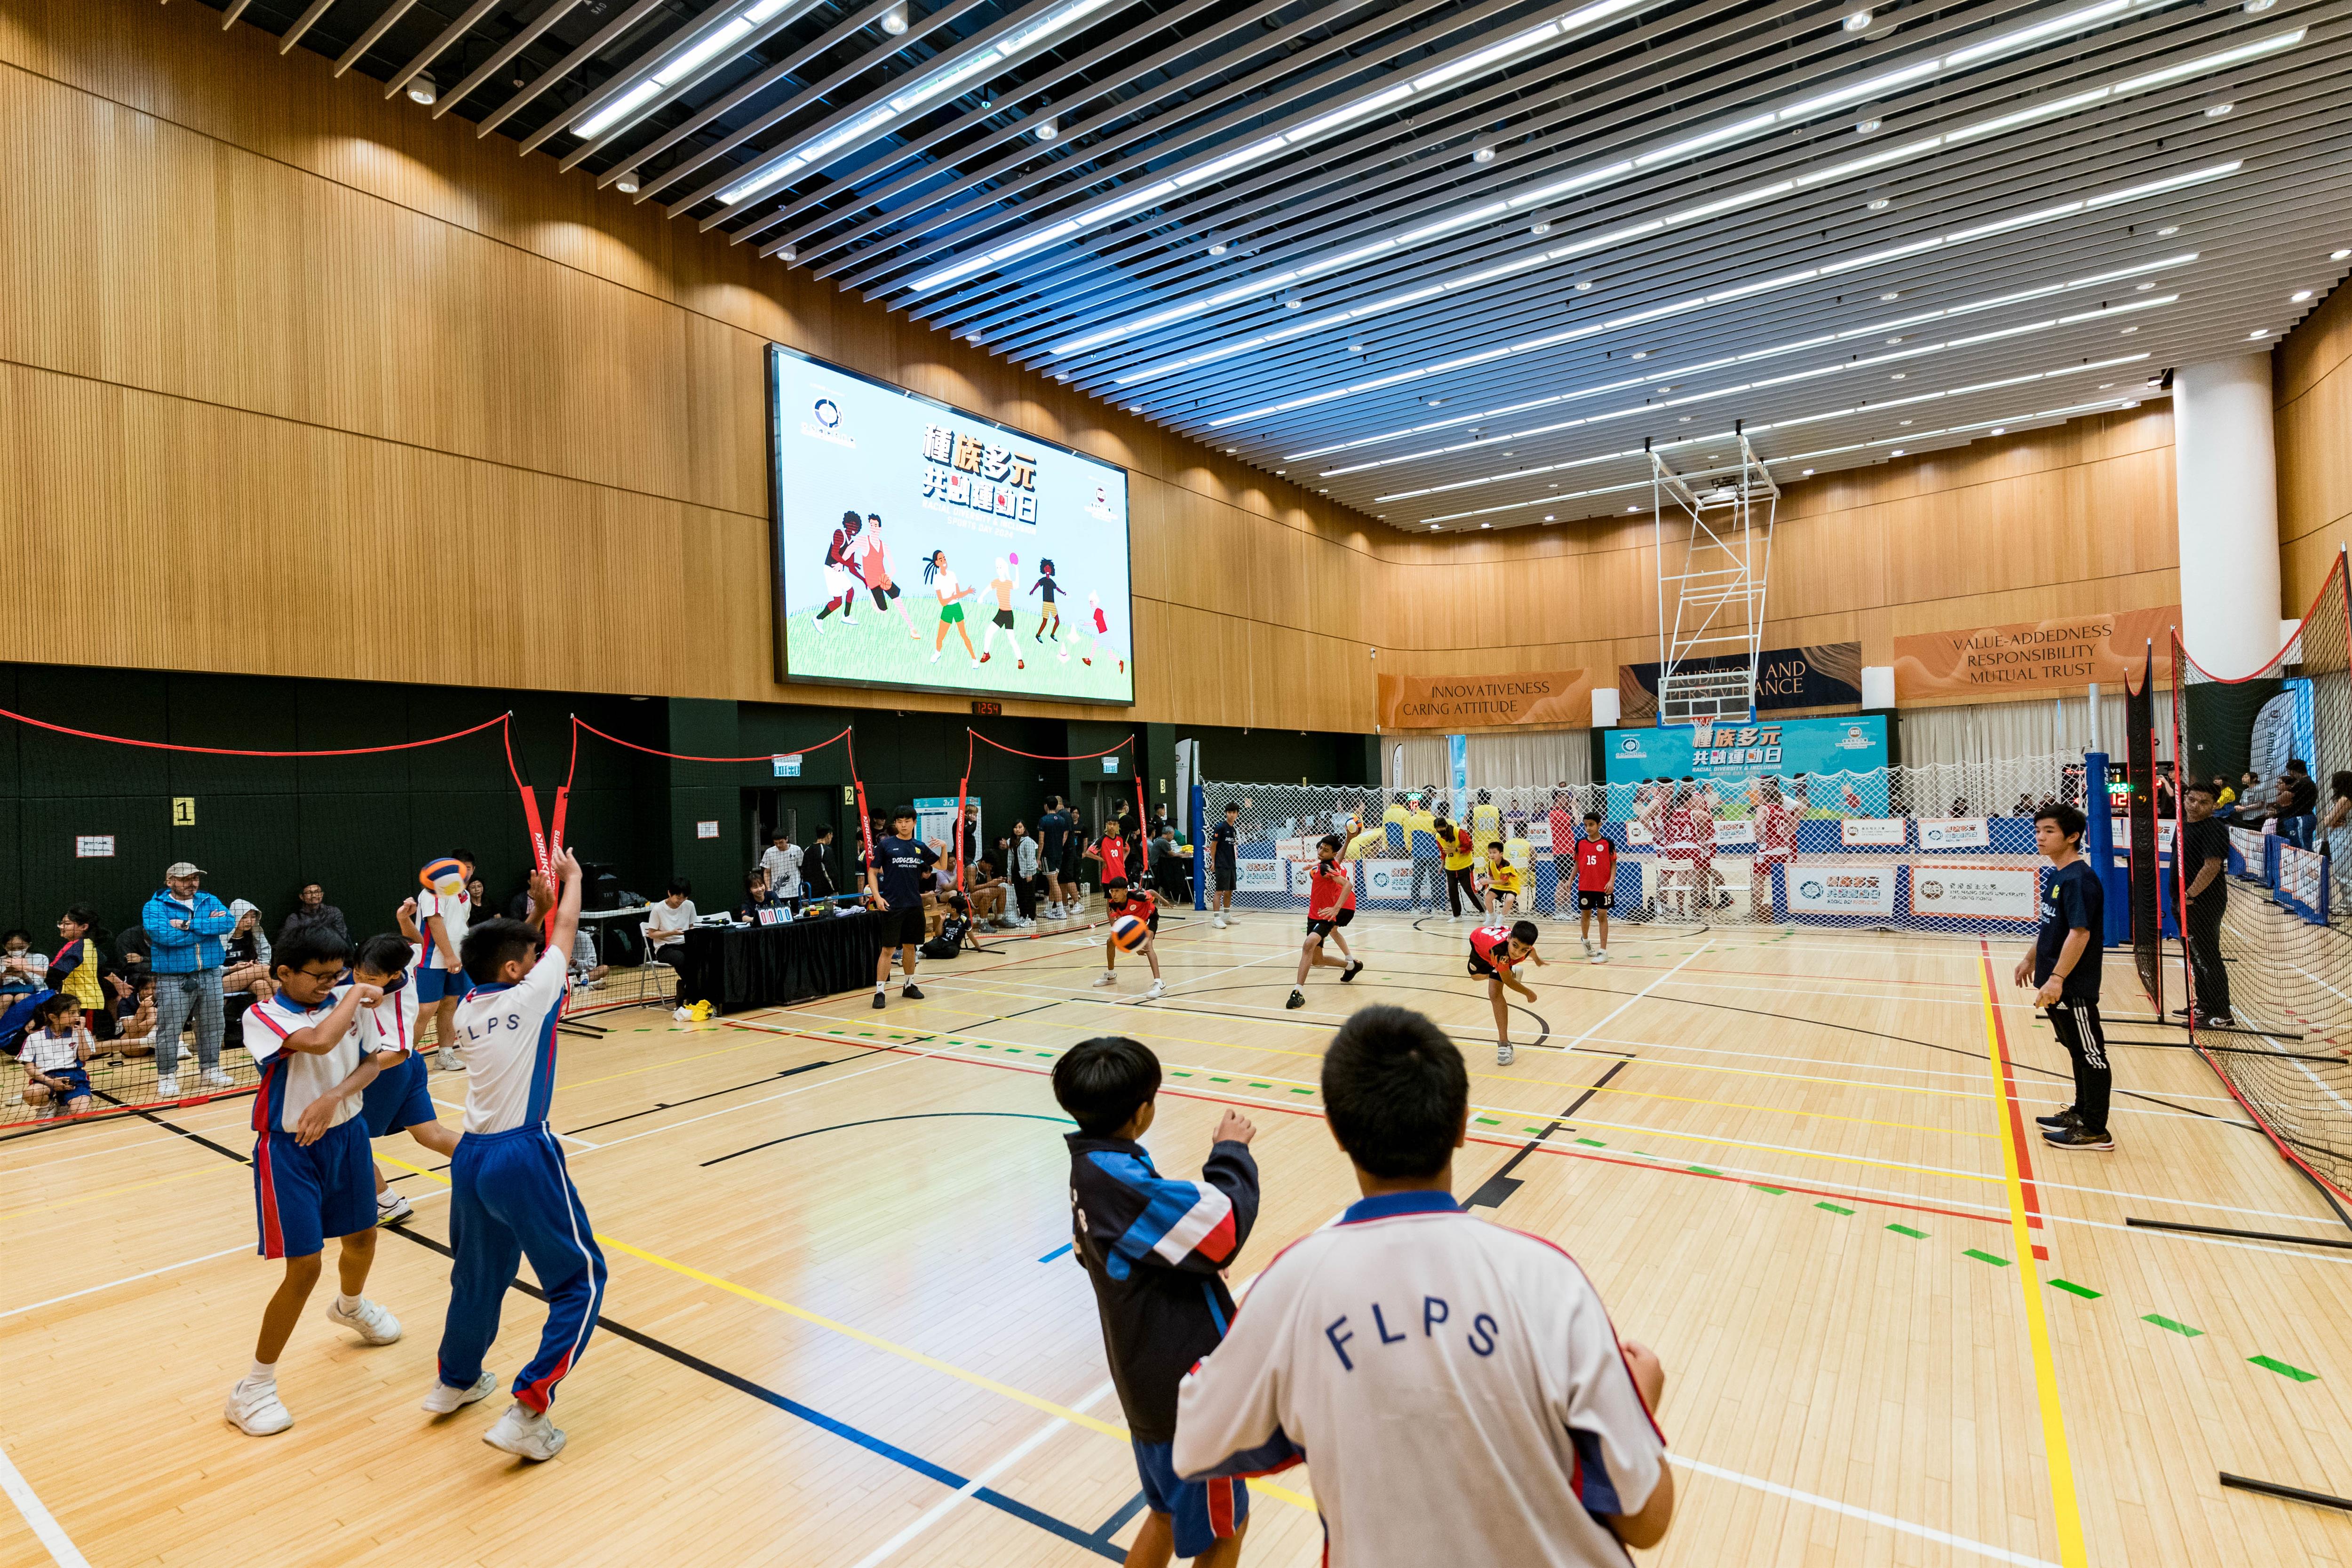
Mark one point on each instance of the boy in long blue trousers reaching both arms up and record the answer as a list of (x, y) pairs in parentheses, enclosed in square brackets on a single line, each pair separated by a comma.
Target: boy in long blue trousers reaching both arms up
[(512, 1195)]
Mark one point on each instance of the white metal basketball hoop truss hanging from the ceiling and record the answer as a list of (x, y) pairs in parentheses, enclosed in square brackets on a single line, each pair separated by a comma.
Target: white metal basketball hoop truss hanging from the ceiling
[(1725, 565)]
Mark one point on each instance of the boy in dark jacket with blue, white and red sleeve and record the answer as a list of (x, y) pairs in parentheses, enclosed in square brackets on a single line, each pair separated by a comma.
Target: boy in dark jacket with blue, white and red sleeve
[(1156, 1252)]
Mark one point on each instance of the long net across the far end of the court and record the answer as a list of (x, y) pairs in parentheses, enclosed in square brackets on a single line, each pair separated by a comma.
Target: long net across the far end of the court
[(1937, 850)]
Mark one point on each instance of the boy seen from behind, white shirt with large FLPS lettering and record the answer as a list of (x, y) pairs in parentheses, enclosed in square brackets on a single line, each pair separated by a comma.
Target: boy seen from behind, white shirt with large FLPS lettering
[(1459, 1383)]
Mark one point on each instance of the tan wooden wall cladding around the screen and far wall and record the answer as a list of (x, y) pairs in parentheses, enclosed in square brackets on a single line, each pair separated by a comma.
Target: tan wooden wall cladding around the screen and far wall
[(307, 363)]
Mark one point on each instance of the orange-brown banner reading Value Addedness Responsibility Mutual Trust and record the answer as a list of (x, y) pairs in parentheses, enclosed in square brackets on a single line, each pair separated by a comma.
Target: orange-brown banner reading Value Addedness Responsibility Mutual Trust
[(2033, 657)]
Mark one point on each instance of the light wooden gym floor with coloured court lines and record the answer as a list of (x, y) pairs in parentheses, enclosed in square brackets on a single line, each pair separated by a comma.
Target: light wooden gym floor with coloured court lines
[(843, 1325)]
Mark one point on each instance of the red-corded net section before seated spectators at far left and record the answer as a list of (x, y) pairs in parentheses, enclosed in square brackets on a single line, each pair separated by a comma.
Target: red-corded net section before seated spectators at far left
[(161, 989)]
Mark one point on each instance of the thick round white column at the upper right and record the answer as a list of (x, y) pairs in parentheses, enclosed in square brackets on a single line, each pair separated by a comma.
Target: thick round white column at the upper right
[(2229, 492)]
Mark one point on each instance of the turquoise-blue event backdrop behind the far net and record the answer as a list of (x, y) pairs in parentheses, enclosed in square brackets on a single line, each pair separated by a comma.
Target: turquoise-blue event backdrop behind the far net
[(1840, 760)]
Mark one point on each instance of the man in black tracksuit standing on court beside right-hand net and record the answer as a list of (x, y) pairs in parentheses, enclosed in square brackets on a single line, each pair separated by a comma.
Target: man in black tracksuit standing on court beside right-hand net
[(2064, 970)]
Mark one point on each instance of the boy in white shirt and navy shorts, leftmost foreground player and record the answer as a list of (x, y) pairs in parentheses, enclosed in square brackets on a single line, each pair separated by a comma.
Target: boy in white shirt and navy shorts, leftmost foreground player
[(312, 1170)]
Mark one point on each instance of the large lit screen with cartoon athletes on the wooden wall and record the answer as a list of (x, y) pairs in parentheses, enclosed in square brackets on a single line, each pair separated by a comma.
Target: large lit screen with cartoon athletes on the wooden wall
[(1001, 504)]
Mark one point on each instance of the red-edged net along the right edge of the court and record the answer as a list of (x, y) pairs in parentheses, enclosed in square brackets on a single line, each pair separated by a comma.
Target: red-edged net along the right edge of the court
[(2269, 953)]
